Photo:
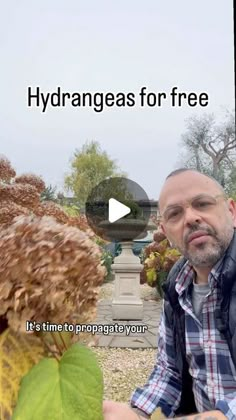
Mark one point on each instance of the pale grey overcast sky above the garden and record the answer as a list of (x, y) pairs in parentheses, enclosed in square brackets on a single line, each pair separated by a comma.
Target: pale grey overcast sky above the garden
[(110, 46)]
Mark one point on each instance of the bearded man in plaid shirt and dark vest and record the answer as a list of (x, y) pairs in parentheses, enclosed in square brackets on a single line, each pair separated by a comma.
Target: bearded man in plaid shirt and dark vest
[(196, 364)]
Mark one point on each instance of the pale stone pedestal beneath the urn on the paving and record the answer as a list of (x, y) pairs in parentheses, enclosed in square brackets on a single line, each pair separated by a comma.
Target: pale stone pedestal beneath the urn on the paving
[(126, 303)]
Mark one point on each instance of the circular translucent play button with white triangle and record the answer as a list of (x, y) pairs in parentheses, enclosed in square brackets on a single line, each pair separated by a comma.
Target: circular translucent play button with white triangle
[(118, 209)]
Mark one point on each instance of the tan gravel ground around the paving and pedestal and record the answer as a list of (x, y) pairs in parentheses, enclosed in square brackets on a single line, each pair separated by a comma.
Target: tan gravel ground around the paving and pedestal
[(124, 369)]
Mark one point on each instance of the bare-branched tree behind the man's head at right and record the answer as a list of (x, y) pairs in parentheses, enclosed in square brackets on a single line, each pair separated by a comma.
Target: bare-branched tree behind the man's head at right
[(210, 147)]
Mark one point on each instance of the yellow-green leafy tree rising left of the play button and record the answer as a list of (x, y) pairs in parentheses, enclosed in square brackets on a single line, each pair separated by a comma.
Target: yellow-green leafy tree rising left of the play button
[(89, 166)]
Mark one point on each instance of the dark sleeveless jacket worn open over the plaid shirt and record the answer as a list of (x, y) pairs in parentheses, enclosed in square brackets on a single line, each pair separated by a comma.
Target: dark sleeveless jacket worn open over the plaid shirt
[(225, 319)]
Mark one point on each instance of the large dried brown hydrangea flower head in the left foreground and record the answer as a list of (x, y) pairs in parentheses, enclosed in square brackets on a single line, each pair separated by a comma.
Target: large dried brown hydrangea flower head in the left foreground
[(48, 272)]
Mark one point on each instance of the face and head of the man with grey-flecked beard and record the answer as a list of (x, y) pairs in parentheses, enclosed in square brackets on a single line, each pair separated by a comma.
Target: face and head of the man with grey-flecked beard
[(198, 220)]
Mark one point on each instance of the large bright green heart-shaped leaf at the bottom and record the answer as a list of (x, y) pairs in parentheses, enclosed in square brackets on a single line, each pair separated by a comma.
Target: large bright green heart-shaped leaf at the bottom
[(71, 389)]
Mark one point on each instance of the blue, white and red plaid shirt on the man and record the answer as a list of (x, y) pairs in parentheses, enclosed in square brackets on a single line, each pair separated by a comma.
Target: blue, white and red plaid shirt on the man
[(208, 355)]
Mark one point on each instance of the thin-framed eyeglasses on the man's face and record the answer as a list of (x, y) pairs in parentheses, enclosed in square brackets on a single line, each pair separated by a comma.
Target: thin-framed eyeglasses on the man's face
[(202, 203)]
